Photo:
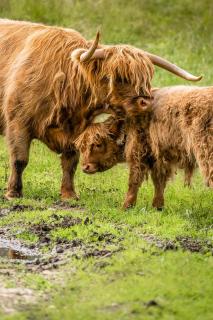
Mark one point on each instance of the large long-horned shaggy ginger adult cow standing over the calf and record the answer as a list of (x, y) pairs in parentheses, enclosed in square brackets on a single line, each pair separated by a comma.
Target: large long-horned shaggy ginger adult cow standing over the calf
[(51, 77)]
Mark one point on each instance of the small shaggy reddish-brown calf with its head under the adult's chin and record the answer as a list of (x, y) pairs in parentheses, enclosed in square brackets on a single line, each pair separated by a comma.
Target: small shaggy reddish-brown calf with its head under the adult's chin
[(176, 132)]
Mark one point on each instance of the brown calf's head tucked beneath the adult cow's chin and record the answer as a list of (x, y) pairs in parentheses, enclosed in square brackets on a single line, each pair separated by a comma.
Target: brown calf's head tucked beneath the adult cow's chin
[(101, 145)]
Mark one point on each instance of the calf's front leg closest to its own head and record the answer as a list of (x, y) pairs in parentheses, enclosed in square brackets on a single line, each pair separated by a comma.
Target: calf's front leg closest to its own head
[(136, 177)]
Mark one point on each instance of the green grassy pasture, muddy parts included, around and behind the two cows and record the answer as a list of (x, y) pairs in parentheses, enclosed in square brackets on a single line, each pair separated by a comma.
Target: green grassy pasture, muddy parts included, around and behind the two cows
[(95, 260)]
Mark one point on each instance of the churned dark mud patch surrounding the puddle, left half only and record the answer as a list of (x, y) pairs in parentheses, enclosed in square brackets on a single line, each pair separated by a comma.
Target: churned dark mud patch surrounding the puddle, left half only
[(54, 252)]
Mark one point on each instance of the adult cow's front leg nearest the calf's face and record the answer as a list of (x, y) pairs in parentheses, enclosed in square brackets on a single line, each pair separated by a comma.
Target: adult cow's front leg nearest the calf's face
[(69, 162)]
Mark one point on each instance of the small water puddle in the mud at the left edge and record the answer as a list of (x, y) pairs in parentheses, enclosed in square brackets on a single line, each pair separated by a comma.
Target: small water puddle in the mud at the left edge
[(10, 249)]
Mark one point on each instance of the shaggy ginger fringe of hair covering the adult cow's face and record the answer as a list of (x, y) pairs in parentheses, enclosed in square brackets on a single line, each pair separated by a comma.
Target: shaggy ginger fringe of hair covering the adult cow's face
[(121, 63)]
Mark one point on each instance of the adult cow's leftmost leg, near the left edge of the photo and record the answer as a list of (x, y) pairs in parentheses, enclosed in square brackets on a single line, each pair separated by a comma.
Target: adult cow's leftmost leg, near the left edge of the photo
[(19, 141)]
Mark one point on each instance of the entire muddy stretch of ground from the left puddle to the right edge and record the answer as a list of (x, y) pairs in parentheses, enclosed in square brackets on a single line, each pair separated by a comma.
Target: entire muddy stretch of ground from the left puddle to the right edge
[(49, 255)]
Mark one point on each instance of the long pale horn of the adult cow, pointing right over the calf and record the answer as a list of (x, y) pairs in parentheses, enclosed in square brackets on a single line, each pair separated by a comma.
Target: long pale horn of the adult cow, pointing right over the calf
[(160, 62)]
